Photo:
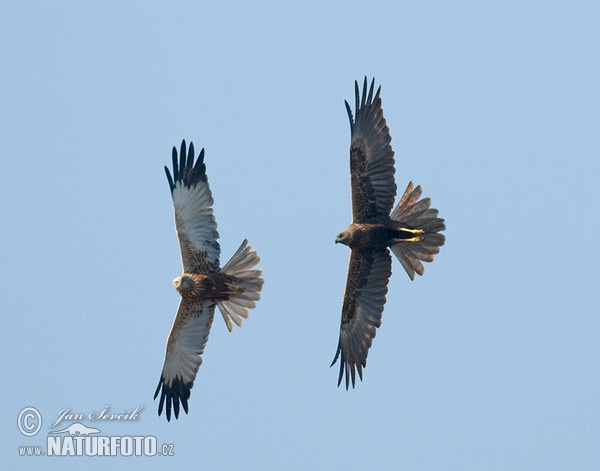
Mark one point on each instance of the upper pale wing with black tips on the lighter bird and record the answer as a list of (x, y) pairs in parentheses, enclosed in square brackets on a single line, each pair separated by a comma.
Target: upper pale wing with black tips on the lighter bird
[(194, 220)]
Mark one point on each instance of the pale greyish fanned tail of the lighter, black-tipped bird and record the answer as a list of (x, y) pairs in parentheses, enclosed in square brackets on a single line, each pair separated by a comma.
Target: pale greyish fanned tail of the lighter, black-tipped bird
[(248, 284)]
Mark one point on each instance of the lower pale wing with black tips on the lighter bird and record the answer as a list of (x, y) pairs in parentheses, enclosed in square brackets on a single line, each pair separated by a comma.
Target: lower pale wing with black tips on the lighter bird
[(185, 346)]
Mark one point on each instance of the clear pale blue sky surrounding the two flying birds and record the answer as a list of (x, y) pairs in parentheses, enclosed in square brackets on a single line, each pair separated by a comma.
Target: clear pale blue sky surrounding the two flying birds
[(490, 361)]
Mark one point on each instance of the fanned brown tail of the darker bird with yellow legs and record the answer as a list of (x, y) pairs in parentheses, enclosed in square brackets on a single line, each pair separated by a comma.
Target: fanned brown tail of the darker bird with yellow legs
[(418, 216)]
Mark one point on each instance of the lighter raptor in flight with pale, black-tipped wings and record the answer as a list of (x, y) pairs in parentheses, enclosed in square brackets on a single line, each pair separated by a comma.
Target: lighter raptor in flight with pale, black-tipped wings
[(235, 287)]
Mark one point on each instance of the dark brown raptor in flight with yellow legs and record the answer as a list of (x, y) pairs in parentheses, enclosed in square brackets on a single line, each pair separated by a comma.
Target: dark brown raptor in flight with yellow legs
[(411, 231)]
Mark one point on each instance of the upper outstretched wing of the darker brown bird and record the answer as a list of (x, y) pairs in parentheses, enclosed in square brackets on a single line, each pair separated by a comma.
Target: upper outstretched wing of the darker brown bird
[(371, 159)]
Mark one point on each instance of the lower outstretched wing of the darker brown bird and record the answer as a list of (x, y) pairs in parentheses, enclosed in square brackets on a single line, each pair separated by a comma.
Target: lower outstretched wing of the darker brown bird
[(366, 287)]
